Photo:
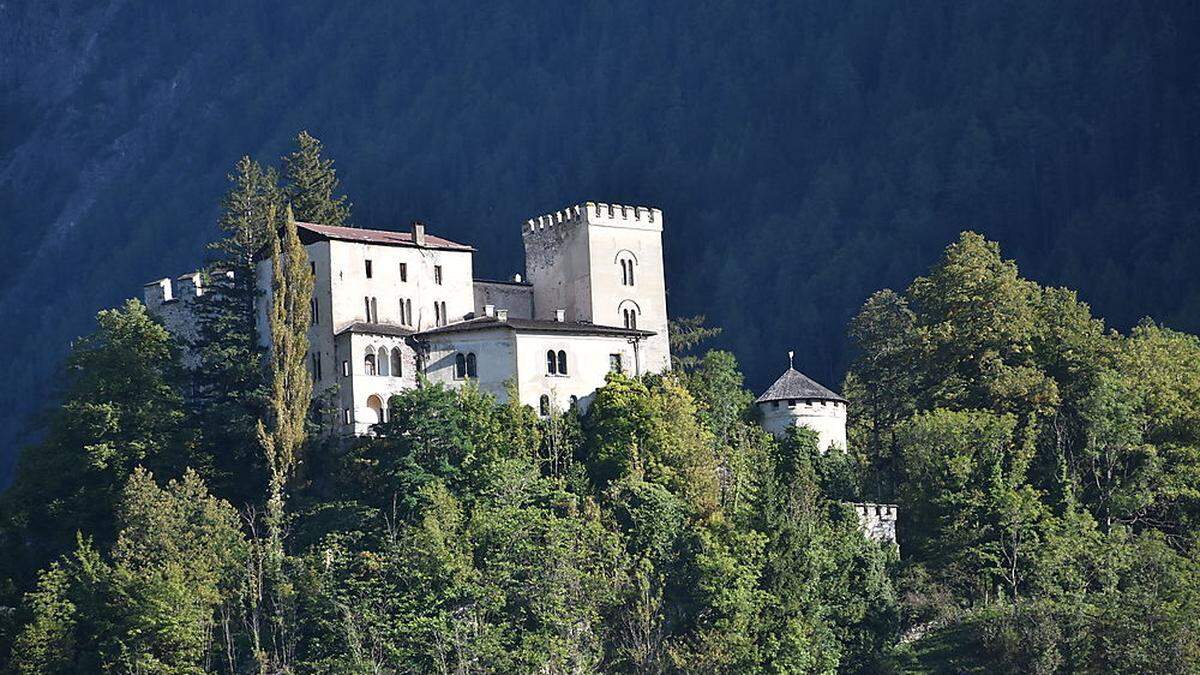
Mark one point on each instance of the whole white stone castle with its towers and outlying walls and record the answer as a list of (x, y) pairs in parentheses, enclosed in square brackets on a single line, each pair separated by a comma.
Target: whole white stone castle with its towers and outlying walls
[(391, 307)]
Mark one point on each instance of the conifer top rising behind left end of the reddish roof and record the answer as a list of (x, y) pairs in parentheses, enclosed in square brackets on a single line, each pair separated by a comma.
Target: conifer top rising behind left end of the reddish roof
[(313, 184)]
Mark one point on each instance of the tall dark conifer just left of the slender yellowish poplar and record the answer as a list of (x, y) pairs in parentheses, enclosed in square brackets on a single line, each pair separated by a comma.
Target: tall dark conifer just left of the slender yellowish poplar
[(229, 374)]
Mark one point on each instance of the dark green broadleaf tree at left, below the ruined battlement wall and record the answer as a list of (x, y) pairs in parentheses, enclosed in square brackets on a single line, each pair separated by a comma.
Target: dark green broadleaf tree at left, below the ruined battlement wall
[(121, 409)]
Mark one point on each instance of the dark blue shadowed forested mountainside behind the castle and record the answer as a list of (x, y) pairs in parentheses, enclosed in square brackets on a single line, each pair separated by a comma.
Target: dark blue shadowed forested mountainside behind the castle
[(812, 152)]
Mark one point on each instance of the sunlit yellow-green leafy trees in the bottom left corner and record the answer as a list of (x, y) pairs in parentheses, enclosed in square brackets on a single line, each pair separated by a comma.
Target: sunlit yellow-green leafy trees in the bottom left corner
[(152, 605)]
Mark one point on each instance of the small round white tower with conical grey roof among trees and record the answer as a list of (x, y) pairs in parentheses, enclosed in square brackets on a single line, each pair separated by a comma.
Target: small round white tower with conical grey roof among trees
[(797, 401)]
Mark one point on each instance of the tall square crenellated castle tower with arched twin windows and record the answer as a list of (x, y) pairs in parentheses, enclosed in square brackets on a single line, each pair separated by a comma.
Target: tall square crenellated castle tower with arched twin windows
[(602, 264)]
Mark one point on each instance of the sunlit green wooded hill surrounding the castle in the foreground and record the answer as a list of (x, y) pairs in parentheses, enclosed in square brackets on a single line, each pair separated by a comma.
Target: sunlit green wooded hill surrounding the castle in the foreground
[(201, 519)]
